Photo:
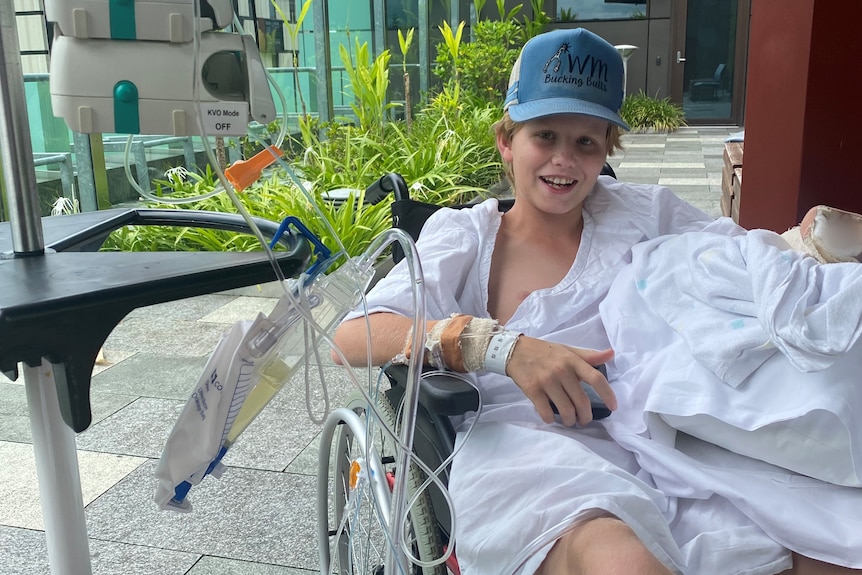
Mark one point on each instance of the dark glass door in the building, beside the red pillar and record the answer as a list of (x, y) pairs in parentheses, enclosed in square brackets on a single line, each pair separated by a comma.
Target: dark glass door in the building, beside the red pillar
[(708, 59)]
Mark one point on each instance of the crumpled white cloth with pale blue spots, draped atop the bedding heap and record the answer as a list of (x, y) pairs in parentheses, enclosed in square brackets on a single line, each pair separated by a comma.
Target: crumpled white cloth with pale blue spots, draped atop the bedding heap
[(738, 300)]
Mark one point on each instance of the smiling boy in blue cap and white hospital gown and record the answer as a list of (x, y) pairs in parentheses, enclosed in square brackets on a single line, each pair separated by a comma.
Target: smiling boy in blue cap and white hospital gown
[(533, 496)]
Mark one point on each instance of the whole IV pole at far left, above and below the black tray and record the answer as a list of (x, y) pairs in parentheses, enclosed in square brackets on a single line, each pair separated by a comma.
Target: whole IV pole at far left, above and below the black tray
[(53, 440)]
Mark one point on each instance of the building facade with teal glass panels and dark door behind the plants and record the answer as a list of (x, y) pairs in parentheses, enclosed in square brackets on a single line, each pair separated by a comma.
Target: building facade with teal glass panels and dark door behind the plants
[(691, 51)]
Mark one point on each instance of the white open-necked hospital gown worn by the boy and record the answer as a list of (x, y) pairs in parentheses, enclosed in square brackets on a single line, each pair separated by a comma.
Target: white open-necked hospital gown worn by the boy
[(518, 483)]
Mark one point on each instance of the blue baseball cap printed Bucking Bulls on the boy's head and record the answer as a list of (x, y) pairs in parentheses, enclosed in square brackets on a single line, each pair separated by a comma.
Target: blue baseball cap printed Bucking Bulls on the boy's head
[(567, 71)]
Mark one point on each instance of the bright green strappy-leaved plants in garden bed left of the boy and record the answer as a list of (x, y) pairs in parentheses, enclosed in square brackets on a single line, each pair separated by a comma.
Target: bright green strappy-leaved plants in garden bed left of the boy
[(447, 155)]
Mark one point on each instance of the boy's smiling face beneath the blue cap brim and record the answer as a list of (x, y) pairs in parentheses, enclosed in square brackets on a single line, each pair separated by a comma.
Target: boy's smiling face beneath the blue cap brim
[(556, 160)]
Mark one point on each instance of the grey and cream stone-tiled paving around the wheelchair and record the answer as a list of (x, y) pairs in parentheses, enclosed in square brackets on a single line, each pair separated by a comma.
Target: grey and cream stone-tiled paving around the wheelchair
[(259, 518)]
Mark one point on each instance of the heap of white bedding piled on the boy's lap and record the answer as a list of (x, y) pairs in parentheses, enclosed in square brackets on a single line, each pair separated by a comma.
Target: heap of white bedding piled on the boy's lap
[(754, 348)]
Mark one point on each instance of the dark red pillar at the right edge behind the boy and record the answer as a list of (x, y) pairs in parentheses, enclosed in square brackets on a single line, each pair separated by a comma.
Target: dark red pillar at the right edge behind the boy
[(803, 114)]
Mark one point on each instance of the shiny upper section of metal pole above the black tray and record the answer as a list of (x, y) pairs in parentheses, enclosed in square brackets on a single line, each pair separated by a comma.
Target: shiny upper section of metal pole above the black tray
[(16, 149)]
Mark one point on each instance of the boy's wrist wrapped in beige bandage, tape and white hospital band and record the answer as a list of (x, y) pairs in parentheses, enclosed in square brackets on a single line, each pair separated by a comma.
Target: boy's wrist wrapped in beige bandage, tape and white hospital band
[(465, 344)]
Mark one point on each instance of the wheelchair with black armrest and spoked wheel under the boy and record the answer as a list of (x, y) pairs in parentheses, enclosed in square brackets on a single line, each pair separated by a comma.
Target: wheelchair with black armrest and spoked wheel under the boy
[(356, 465)]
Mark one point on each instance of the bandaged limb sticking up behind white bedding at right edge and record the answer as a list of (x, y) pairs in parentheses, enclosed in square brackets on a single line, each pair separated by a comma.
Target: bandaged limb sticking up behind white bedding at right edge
[(828, 234)]
